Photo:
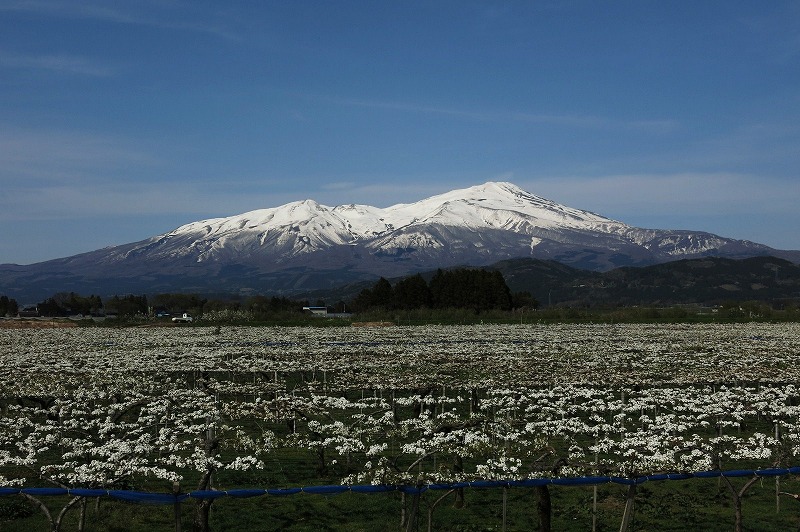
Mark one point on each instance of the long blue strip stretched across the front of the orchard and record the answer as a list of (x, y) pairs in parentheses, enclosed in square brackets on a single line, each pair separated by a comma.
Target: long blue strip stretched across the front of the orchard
[(169, 498)]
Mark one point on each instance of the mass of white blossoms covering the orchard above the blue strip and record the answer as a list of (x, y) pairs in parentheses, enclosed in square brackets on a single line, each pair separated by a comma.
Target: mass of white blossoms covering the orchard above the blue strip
[(143, 408)]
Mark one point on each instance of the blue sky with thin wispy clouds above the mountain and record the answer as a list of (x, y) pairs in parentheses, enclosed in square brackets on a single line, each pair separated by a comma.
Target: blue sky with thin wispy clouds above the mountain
[(121, 120)]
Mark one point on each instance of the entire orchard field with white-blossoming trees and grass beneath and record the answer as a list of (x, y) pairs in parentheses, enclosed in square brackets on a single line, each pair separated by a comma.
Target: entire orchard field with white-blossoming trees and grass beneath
[(180, 409)]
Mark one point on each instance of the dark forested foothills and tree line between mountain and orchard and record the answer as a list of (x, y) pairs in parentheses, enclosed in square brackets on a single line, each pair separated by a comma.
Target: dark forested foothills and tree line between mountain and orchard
[(519, 291)]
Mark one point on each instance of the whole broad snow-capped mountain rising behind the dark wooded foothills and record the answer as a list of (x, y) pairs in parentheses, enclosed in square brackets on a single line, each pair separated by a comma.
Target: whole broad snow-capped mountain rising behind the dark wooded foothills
[(304, 245)]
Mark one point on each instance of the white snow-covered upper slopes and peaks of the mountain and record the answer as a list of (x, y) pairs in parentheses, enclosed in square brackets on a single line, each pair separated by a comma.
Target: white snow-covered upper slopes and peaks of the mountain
[(306, 226)]
